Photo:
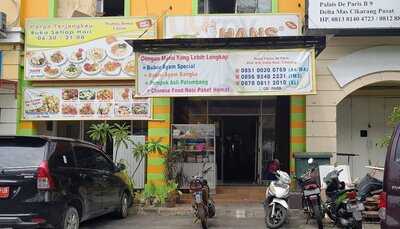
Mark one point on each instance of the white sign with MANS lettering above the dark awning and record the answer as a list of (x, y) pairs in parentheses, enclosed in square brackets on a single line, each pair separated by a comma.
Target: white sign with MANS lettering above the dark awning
[(232, 25)]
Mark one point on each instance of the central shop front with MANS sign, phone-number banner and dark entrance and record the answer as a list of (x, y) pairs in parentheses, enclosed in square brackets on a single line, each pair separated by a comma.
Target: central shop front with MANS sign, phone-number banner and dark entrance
[(241, 88)]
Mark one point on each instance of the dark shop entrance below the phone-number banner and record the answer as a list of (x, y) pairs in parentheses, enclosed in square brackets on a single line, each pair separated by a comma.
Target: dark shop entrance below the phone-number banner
[(249, 132)]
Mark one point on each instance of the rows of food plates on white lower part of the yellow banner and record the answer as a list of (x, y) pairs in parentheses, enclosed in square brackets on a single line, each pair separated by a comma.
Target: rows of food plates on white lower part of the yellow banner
[(117, 60)]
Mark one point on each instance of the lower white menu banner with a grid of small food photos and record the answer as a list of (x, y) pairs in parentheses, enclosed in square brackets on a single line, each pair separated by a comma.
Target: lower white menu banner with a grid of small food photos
[(78, 103)]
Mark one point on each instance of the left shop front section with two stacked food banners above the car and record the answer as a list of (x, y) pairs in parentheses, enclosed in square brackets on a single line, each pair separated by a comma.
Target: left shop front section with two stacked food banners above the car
[(82, 72)]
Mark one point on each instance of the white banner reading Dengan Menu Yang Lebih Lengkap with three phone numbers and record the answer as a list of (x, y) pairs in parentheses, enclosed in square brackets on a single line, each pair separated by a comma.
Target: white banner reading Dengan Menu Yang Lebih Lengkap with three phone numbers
[(226, 73)]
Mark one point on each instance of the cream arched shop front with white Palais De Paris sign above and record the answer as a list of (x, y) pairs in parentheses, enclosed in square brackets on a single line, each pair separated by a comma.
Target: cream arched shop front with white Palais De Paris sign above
[(358, 84)]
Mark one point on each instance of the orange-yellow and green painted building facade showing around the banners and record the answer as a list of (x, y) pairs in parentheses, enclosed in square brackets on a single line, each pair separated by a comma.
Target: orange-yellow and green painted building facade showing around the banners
[(160, 126)]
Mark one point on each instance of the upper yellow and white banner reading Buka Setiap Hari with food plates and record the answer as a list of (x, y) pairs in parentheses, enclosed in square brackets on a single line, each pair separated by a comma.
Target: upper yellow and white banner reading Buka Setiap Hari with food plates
[(83, 48)]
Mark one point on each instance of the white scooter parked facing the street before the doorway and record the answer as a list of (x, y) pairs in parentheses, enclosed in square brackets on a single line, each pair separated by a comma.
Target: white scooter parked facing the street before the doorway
[(276, 202)]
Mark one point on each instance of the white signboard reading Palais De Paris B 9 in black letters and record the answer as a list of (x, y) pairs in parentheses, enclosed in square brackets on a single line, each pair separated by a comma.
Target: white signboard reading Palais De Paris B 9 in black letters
[(353, 14)]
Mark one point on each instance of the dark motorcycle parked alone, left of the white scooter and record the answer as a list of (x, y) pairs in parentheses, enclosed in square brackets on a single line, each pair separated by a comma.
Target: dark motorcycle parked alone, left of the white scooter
[(202, 204)]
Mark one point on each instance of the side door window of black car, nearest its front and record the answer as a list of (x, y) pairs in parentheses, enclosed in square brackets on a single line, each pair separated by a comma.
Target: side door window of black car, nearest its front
[(90, 158)]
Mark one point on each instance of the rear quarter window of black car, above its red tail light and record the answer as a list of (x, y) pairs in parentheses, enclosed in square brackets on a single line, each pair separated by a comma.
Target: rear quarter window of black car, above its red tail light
[(62, 156)]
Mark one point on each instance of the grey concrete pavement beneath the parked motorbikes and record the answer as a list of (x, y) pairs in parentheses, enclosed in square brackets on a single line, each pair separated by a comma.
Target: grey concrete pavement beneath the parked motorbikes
[(233, 216)]
